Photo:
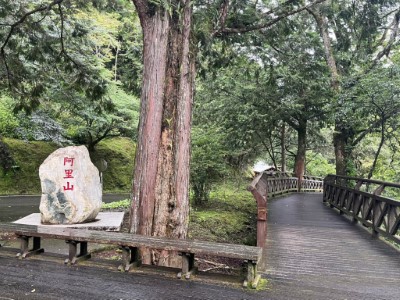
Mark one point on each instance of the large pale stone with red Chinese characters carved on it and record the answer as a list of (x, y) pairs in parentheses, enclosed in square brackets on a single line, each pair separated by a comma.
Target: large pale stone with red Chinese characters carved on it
[(71, 187)]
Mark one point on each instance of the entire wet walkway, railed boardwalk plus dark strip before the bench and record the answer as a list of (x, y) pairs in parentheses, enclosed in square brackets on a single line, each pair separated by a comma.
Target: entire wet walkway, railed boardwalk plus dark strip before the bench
[(312, 253)]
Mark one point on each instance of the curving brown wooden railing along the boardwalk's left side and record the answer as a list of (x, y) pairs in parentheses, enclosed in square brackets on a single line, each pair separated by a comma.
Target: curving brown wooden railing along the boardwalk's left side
[(270, 184)]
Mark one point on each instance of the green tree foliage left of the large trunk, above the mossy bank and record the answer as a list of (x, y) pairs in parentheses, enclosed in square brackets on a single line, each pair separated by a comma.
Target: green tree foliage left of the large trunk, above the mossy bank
[(60, 65)]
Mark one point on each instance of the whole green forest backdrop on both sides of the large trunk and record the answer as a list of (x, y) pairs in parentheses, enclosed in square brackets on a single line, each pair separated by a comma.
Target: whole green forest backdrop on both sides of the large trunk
[(315, 92)]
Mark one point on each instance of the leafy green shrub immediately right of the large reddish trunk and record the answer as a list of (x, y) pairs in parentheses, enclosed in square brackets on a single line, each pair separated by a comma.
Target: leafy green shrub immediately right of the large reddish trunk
[(207, 161)]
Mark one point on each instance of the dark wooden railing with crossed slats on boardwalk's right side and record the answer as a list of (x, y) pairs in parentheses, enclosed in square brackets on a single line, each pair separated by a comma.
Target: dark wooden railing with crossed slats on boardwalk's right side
[(367, 201)]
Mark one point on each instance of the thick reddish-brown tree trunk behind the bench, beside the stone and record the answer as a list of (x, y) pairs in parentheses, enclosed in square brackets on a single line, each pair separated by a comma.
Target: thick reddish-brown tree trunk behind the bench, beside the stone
[(160, 190)]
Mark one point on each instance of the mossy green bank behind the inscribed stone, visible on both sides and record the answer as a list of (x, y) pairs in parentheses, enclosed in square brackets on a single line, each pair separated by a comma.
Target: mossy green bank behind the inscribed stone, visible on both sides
[(28, 156)]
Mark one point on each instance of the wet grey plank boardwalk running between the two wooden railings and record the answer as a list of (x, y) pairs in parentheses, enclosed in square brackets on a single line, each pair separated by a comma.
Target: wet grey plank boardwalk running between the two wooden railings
[(314, 253)]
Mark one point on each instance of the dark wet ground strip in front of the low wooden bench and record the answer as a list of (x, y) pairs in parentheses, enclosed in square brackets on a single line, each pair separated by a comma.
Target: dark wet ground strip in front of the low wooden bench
[(37, 280)]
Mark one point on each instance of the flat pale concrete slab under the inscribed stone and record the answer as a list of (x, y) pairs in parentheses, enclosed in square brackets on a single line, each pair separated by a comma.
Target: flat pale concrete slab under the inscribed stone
[(108, 221)]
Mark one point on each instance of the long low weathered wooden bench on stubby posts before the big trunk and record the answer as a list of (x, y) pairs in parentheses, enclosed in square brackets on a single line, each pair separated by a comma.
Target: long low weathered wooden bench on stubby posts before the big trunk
[(129, 244)]
